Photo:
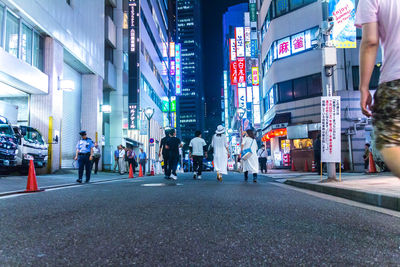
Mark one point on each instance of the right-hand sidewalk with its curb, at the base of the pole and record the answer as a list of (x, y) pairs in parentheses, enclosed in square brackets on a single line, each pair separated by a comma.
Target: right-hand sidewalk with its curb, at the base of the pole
[(382, 189)]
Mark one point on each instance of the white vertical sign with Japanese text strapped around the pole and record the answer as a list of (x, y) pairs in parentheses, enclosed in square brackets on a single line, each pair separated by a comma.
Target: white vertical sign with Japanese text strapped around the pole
[(330, 129)]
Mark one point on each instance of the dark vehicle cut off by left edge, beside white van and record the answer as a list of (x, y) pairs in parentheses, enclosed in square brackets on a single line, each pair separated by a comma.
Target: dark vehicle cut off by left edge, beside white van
[(8, 145)]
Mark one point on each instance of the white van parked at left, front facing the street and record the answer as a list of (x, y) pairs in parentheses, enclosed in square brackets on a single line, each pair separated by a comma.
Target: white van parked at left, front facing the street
[(31, 146)]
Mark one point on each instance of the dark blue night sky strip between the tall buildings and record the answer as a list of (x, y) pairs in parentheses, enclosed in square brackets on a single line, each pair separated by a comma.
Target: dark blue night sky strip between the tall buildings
[(213, 57)]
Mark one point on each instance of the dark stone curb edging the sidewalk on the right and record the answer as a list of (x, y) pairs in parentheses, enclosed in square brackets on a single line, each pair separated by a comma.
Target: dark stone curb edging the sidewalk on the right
[(383, 201)]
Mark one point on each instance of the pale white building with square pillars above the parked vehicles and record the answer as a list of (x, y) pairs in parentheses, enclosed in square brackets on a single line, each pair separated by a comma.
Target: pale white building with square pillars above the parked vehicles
[(52, 69)]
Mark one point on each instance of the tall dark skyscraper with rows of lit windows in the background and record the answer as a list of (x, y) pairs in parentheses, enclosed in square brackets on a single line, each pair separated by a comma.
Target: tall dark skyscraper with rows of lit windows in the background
[(191, 107)]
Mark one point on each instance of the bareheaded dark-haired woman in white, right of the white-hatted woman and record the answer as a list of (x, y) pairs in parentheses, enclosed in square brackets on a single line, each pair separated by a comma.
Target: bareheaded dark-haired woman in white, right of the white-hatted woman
[(250, 164)]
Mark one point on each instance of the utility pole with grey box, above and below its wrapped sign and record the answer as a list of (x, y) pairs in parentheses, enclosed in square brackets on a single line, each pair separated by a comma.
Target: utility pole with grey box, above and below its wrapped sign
[(329, 63)]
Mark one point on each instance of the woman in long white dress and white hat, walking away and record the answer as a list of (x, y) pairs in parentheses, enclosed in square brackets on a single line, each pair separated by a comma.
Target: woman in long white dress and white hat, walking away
[(221, 152)]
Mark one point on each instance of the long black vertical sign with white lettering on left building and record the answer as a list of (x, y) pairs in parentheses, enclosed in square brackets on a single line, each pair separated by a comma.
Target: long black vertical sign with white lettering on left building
[(133, 59)]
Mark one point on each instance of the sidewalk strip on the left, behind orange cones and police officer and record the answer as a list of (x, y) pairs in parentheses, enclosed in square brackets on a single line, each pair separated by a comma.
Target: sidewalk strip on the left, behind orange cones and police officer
[(17, 184)]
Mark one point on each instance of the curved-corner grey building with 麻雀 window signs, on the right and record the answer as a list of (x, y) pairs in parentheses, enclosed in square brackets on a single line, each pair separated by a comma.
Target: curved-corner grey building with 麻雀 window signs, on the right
[(293, 81)]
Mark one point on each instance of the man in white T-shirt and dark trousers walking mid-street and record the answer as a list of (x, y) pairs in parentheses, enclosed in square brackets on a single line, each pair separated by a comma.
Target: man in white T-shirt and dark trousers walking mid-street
[(197, 148)]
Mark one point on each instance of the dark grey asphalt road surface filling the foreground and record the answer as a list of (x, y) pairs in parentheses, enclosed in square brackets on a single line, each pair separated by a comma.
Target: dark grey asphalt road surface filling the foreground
[(201, 223)]
